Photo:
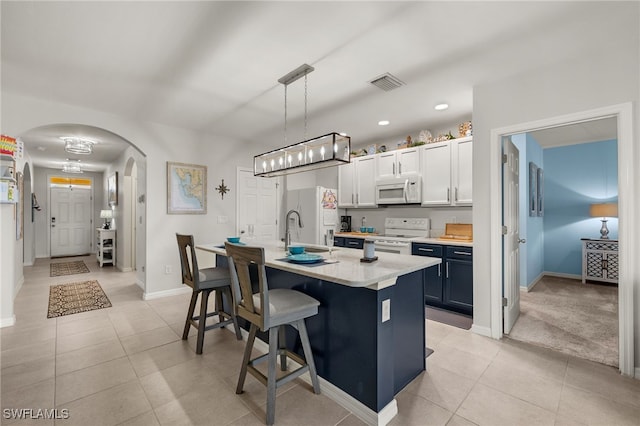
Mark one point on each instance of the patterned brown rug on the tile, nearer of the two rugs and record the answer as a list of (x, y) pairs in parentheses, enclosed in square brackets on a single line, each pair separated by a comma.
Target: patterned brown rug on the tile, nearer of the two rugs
[(72, 298)]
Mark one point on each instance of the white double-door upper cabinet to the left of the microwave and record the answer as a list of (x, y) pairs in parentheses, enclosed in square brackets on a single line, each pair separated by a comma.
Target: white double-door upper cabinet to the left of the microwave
[(356, 183)]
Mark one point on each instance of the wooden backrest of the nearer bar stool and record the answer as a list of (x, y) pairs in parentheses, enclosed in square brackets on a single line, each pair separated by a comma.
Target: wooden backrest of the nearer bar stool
[(248, 306)]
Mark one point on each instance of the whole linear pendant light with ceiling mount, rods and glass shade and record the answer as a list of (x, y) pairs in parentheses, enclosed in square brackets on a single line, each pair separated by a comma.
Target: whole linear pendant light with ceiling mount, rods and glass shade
[(332, 149)]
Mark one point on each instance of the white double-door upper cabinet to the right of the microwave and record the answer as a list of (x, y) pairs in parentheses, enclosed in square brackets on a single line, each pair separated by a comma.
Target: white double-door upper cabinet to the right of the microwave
[(447, 173)]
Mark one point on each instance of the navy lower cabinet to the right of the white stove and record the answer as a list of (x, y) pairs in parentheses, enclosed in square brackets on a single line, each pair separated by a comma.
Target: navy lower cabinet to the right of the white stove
[(450, 284)]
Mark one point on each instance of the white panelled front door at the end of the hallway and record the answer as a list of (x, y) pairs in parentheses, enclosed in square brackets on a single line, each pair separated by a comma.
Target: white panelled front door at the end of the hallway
[(70, 221)]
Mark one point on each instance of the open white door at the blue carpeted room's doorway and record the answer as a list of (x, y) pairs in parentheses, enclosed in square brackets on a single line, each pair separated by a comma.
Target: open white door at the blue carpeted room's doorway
[(511, 239)]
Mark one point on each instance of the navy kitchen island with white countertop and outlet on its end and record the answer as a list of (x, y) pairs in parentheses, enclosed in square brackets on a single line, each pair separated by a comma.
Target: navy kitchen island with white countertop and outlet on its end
[(368, 337)]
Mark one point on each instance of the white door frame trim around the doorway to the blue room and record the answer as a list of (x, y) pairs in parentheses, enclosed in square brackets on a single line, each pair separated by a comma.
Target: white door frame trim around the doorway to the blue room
[(626, 216)]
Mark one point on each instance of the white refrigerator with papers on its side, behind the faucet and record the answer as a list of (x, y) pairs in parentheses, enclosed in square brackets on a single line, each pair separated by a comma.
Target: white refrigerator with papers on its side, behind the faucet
[(318, 208)]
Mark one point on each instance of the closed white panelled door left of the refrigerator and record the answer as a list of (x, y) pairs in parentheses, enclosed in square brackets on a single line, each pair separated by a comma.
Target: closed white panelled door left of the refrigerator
[(257, 205)]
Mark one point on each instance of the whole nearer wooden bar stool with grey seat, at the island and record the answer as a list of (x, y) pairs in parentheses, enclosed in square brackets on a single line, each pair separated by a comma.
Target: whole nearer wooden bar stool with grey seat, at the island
[(270, 310)]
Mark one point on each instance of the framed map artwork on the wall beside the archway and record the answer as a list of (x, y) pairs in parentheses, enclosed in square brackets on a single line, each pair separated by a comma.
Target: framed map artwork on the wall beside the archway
[(186, 188)]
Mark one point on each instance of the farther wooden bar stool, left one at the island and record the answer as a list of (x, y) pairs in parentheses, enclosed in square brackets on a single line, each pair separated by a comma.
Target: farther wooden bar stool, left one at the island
[(203, 282)]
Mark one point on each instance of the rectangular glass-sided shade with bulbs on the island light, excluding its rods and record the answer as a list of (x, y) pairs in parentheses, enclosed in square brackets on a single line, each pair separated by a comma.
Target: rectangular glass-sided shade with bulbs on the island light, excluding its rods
[(332, 149)]
